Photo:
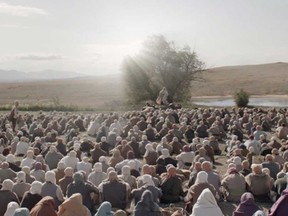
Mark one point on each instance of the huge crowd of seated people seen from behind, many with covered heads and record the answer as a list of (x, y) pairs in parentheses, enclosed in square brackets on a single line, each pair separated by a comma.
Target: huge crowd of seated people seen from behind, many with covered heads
[(139, 162)]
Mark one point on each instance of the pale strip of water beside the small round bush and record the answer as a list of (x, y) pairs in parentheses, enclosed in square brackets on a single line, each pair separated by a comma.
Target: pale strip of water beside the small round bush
[(268, 102)]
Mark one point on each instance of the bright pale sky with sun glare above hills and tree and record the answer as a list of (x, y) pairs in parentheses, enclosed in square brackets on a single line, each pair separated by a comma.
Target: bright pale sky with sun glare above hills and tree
[(93, 36)]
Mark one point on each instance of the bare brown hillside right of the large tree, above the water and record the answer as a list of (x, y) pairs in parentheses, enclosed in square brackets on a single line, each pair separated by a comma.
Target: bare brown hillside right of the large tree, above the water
[(256, 79)]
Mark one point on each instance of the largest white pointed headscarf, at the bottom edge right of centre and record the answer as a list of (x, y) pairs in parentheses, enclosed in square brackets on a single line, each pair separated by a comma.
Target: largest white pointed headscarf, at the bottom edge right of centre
[(206, 205)]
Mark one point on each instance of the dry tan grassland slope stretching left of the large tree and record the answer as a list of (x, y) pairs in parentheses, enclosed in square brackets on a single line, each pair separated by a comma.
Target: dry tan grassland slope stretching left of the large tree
[(98, 92)]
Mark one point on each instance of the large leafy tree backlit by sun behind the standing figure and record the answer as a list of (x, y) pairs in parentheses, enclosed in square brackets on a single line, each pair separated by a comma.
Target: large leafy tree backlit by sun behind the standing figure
[(160, 64)]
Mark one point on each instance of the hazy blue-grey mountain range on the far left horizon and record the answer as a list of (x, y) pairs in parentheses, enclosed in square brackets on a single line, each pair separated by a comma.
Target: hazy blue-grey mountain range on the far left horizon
[(18, 76)]
